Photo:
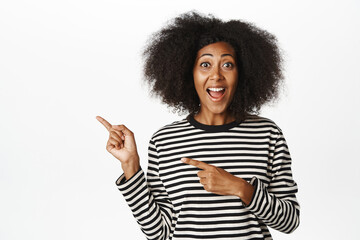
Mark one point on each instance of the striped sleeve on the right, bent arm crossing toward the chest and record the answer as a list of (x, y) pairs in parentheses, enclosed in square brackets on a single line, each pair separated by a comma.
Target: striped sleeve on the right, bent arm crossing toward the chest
[(275, 203)]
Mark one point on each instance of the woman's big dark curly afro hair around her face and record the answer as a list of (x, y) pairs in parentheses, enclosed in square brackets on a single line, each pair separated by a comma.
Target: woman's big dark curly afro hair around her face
[(170, 54)]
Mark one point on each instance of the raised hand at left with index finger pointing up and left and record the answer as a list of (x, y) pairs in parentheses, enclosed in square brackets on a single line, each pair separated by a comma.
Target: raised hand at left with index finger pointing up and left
[(122, 145)]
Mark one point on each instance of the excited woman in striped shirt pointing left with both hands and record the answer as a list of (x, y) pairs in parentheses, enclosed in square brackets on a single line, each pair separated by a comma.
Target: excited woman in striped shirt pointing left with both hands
[(222, 172)]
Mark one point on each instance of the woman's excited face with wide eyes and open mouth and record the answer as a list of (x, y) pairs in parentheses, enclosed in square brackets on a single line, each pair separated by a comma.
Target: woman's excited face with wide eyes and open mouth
[(215, 77)]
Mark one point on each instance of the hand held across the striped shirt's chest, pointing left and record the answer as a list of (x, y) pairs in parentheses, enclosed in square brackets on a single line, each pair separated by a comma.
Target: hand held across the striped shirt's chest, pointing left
[(219, 181)]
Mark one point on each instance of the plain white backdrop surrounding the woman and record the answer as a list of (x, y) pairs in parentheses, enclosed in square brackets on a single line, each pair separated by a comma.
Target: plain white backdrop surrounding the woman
[(64, 62)]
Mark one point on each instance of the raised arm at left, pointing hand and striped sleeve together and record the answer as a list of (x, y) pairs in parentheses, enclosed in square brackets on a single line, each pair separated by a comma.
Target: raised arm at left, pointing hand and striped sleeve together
[(147, 199)]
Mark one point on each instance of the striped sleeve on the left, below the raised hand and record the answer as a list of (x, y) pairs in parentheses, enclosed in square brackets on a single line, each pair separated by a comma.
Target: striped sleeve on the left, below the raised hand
[(148, 199)]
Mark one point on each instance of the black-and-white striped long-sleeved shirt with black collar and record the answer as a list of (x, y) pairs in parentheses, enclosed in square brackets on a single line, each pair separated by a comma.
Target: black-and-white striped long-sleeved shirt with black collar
[(171, 203)]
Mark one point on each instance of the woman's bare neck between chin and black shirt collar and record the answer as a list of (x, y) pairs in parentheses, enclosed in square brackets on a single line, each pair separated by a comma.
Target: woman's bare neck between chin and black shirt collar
[(214, 118)]
